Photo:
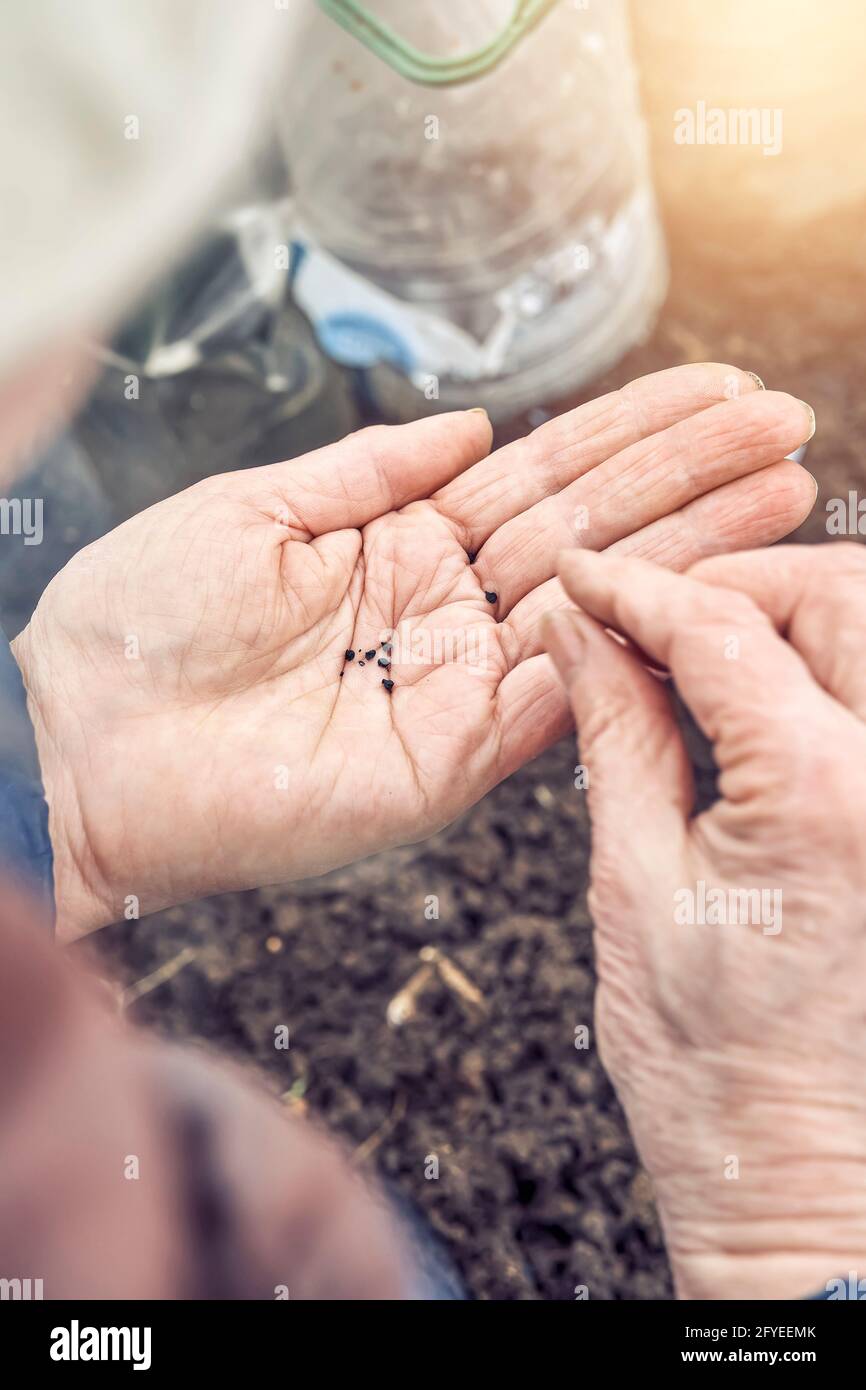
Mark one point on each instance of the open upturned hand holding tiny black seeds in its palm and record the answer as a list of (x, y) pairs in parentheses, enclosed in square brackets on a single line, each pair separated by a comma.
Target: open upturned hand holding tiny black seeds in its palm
[(199, 723)]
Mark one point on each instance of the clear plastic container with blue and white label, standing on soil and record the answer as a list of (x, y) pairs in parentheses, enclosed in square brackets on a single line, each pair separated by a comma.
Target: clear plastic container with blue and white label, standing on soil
[(494, 243)]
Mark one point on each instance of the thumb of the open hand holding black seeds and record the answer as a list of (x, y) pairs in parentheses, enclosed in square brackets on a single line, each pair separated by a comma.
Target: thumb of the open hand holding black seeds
[(373, 472)]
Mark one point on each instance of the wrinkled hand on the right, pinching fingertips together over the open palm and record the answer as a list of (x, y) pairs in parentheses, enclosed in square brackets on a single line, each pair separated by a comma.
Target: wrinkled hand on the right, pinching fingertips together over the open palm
[(732, 946)]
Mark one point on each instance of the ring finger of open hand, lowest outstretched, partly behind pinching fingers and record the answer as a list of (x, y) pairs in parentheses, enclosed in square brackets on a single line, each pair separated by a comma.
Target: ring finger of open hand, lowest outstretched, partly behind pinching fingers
[(755, 511)]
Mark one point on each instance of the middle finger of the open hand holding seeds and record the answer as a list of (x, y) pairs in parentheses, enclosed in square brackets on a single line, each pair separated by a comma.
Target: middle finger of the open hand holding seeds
[(651, 480)]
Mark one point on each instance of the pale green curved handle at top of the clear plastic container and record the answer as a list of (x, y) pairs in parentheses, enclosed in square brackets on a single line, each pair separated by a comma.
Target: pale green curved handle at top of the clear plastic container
[(422, 67)]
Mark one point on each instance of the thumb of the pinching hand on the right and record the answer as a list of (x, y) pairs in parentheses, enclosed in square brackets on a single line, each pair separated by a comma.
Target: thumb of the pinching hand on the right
[(639, 771)]
